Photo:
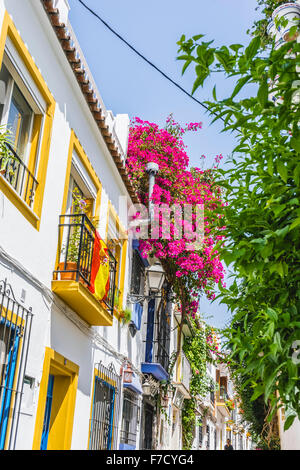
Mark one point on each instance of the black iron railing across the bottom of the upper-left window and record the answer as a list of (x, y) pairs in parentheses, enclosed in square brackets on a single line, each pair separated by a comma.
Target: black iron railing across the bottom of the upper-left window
[(16, 173)]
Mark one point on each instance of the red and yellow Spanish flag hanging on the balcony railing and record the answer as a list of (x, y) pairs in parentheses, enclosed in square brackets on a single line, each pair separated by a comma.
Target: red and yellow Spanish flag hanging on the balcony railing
[(99, 283)]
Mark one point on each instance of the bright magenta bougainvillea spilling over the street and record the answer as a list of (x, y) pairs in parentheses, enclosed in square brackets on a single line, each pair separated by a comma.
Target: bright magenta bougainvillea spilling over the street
[(190, 271)]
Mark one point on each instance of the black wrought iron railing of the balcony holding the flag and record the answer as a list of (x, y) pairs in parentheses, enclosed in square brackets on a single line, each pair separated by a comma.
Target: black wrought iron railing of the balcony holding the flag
[(76, 241)]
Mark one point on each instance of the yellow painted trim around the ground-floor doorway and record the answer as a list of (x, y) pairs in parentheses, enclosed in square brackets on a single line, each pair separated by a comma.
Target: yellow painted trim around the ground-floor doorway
[(54, 360)]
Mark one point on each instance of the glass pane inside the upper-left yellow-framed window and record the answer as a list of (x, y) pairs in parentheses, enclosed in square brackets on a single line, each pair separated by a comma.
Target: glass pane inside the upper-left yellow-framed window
[(19, 120)]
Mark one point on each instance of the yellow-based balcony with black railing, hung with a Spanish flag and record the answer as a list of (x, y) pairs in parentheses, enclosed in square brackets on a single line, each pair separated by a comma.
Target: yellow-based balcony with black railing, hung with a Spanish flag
[(72, 277)]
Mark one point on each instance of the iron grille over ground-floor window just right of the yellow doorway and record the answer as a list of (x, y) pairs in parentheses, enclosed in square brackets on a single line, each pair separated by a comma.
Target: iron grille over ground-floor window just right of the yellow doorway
[(106, 405)]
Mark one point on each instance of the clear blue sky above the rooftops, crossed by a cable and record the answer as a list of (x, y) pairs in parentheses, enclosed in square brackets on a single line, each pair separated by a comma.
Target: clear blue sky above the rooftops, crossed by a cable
[(129, 85)]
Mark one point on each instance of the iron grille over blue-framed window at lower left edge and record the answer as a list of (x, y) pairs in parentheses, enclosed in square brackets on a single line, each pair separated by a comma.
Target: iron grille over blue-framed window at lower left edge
[(15, 329)]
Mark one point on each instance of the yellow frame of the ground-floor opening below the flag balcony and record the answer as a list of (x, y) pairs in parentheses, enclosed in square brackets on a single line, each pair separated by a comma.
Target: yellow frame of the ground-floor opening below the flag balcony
[(60, 437)]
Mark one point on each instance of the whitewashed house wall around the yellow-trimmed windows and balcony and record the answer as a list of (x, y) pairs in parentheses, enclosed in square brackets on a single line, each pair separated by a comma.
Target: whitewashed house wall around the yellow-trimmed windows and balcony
[(54, 324)]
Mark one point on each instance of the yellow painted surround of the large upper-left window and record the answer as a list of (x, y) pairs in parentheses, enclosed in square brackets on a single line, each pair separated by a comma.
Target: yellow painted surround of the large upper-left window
[(9, 30)]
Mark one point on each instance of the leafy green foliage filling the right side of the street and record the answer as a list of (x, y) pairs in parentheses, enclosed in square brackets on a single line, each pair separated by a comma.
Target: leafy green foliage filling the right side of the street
[(262, 216)]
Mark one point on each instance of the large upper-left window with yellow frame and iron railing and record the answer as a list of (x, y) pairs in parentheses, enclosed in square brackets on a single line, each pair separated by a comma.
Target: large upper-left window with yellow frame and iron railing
[(26, 115)]
